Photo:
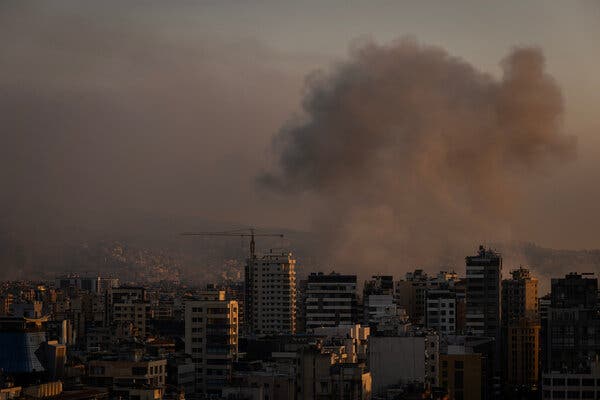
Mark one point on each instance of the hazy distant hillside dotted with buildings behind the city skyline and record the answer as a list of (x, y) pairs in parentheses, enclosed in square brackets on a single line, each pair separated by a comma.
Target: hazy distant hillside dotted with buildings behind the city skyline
[(143, 248)]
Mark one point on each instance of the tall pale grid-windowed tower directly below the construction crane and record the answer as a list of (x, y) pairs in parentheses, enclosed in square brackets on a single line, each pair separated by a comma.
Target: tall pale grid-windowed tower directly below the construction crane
[(271, 293)]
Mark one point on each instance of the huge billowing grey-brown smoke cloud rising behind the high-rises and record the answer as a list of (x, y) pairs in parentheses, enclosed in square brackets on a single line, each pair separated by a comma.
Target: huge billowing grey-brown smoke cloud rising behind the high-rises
[(415, 156)]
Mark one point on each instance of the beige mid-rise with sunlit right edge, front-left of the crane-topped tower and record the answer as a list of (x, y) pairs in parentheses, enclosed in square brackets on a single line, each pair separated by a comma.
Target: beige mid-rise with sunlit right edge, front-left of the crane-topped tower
[(211, 338)]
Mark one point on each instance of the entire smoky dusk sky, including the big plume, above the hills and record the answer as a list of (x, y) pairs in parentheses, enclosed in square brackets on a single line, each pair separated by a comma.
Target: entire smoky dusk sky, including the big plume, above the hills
[(390, 131)]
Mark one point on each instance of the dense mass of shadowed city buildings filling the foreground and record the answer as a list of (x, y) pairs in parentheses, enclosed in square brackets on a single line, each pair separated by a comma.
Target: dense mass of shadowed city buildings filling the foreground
[(277, 335)]
